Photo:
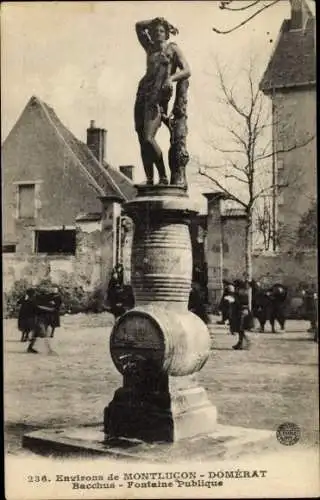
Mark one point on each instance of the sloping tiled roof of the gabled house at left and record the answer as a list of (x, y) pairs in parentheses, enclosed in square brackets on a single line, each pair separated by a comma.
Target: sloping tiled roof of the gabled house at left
[(107, 179)]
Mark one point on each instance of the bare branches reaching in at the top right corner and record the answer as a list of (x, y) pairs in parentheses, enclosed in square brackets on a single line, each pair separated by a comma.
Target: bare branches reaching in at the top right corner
[(253, 8)]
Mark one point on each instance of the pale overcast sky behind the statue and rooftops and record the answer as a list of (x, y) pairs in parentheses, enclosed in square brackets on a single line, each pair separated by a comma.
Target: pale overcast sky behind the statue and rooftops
[(83, 59)]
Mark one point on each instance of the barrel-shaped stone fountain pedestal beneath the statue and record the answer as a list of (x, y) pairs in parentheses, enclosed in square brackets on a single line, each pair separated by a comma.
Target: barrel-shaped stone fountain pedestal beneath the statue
[(159, 345)]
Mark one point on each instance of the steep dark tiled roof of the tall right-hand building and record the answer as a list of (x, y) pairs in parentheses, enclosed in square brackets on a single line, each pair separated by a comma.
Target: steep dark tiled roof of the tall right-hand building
[(293, 62)]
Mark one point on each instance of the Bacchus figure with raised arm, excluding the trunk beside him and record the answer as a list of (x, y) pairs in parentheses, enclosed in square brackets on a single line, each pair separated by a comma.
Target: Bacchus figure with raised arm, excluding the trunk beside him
[(165, 66)]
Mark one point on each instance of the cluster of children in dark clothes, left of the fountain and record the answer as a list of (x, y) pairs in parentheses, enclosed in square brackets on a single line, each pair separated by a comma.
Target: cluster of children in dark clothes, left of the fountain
[(39, 316)]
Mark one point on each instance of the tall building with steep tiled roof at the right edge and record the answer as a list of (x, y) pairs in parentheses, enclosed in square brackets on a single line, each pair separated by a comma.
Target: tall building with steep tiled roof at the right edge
[(290, 82)]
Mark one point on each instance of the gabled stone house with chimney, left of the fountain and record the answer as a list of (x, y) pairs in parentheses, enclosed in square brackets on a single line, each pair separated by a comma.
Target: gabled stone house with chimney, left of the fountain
[(61, 200)]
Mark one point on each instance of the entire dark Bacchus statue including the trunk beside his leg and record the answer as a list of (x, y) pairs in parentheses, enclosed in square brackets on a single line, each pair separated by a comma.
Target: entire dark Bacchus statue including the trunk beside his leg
[(166, 65)]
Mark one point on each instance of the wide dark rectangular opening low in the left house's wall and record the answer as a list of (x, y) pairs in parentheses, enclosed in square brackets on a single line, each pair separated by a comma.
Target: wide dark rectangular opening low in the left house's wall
[(56, 241)]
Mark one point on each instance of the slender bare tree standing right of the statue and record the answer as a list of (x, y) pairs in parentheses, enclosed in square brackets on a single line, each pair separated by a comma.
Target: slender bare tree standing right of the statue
[(245, 174)]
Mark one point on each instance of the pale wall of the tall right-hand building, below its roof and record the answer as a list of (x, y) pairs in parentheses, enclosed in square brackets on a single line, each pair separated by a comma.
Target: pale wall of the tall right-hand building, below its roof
[(295, 125)]
